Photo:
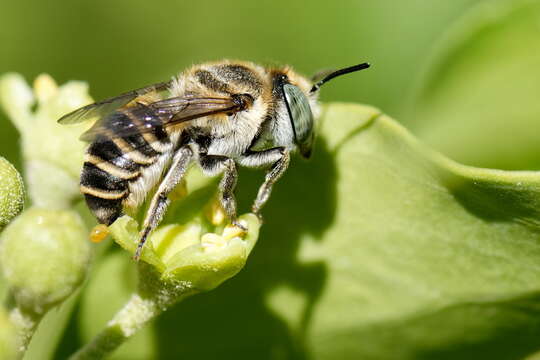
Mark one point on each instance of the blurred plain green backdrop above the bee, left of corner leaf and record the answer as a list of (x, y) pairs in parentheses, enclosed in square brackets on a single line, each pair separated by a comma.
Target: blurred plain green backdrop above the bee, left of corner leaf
[(124, 44)]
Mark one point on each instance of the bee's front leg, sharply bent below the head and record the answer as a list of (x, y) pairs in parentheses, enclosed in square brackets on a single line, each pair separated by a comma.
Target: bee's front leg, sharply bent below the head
[(279, 158)]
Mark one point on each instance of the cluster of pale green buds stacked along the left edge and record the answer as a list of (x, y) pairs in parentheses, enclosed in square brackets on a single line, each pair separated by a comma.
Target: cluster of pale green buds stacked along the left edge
[(44, 252)]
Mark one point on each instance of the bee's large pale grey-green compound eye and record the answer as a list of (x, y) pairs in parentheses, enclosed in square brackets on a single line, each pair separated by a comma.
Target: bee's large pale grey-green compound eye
[(301, 118)]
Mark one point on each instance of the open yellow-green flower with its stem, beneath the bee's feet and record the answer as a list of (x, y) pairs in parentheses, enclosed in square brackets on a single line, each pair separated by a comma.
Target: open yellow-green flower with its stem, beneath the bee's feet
[(178, 261)]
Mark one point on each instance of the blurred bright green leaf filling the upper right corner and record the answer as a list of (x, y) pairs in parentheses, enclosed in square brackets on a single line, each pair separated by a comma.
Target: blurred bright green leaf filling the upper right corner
[(478, 103)]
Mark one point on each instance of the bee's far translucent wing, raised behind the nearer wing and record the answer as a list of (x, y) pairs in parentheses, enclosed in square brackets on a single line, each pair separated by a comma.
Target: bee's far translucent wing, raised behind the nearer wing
[(107, 106)]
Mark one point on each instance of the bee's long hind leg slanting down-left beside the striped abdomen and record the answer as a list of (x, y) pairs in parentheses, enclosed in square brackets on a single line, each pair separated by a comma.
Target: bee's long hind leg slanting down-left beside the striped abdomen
[(159, 202)]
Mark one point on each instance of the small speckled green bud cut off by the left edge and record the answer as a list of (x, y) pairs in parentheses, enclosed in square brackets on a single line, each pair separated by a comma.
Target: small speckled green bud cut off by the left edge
[(11, 192)]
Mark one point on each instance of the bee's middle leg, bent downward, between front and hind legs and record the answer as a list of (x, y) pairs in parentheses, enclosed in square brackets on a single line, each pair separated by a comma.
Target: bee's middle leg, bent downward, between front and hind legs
[(215, 164)]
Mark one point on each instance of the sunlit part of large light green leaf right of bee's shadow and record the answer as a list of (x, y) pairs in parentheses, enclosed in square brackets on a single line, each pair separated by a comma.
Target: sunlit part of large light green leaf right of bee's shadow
[(425, 257)]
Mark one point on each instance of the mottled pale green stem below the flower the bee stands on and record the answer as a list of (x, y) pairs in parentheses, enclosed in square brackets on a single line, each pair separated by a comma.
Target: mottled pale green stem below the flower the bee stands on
[(153, 297)]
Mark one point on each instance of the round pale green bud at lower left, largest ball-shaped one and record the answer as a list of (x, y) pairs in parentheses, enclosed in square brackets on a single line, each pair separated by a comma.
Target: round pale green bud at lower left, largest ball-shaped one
[(44, 256)]
